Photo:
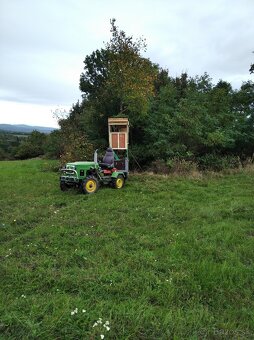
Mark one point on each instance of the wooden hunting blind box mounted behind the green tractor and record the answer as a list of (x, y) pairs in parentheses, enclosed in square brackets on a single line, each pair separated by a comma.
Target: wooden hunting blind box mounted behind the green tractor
[(118, 129)]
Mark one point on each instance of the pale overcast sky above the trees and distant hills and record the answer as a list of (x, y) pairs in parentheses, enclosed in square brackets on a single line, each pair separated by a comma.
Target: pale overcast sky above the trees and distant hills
[(43, 44)]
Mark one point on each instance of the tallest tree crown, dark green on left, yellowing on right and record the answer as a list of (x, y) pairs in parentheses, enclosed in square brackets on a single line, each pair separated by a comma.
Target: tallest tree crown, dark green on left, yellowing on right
[(117, 79)]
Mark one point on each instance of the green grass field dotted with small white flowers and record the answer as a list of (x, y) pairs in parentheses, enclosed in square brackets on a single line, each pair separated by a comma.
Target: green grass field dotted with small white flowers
[(162, 258)]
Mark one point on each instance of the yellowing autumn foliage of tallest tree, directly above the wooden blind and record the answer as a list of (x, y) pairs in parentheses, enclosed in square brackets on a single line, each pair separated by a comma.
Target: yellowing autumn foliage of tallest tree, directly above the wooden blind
[(130, 76)]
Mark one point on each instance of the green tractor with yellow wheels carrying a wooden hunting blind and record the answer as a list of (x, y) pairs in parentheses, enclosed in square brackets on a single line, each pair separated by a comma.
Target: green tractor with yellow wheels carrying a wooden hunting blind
[(113, 170)]
